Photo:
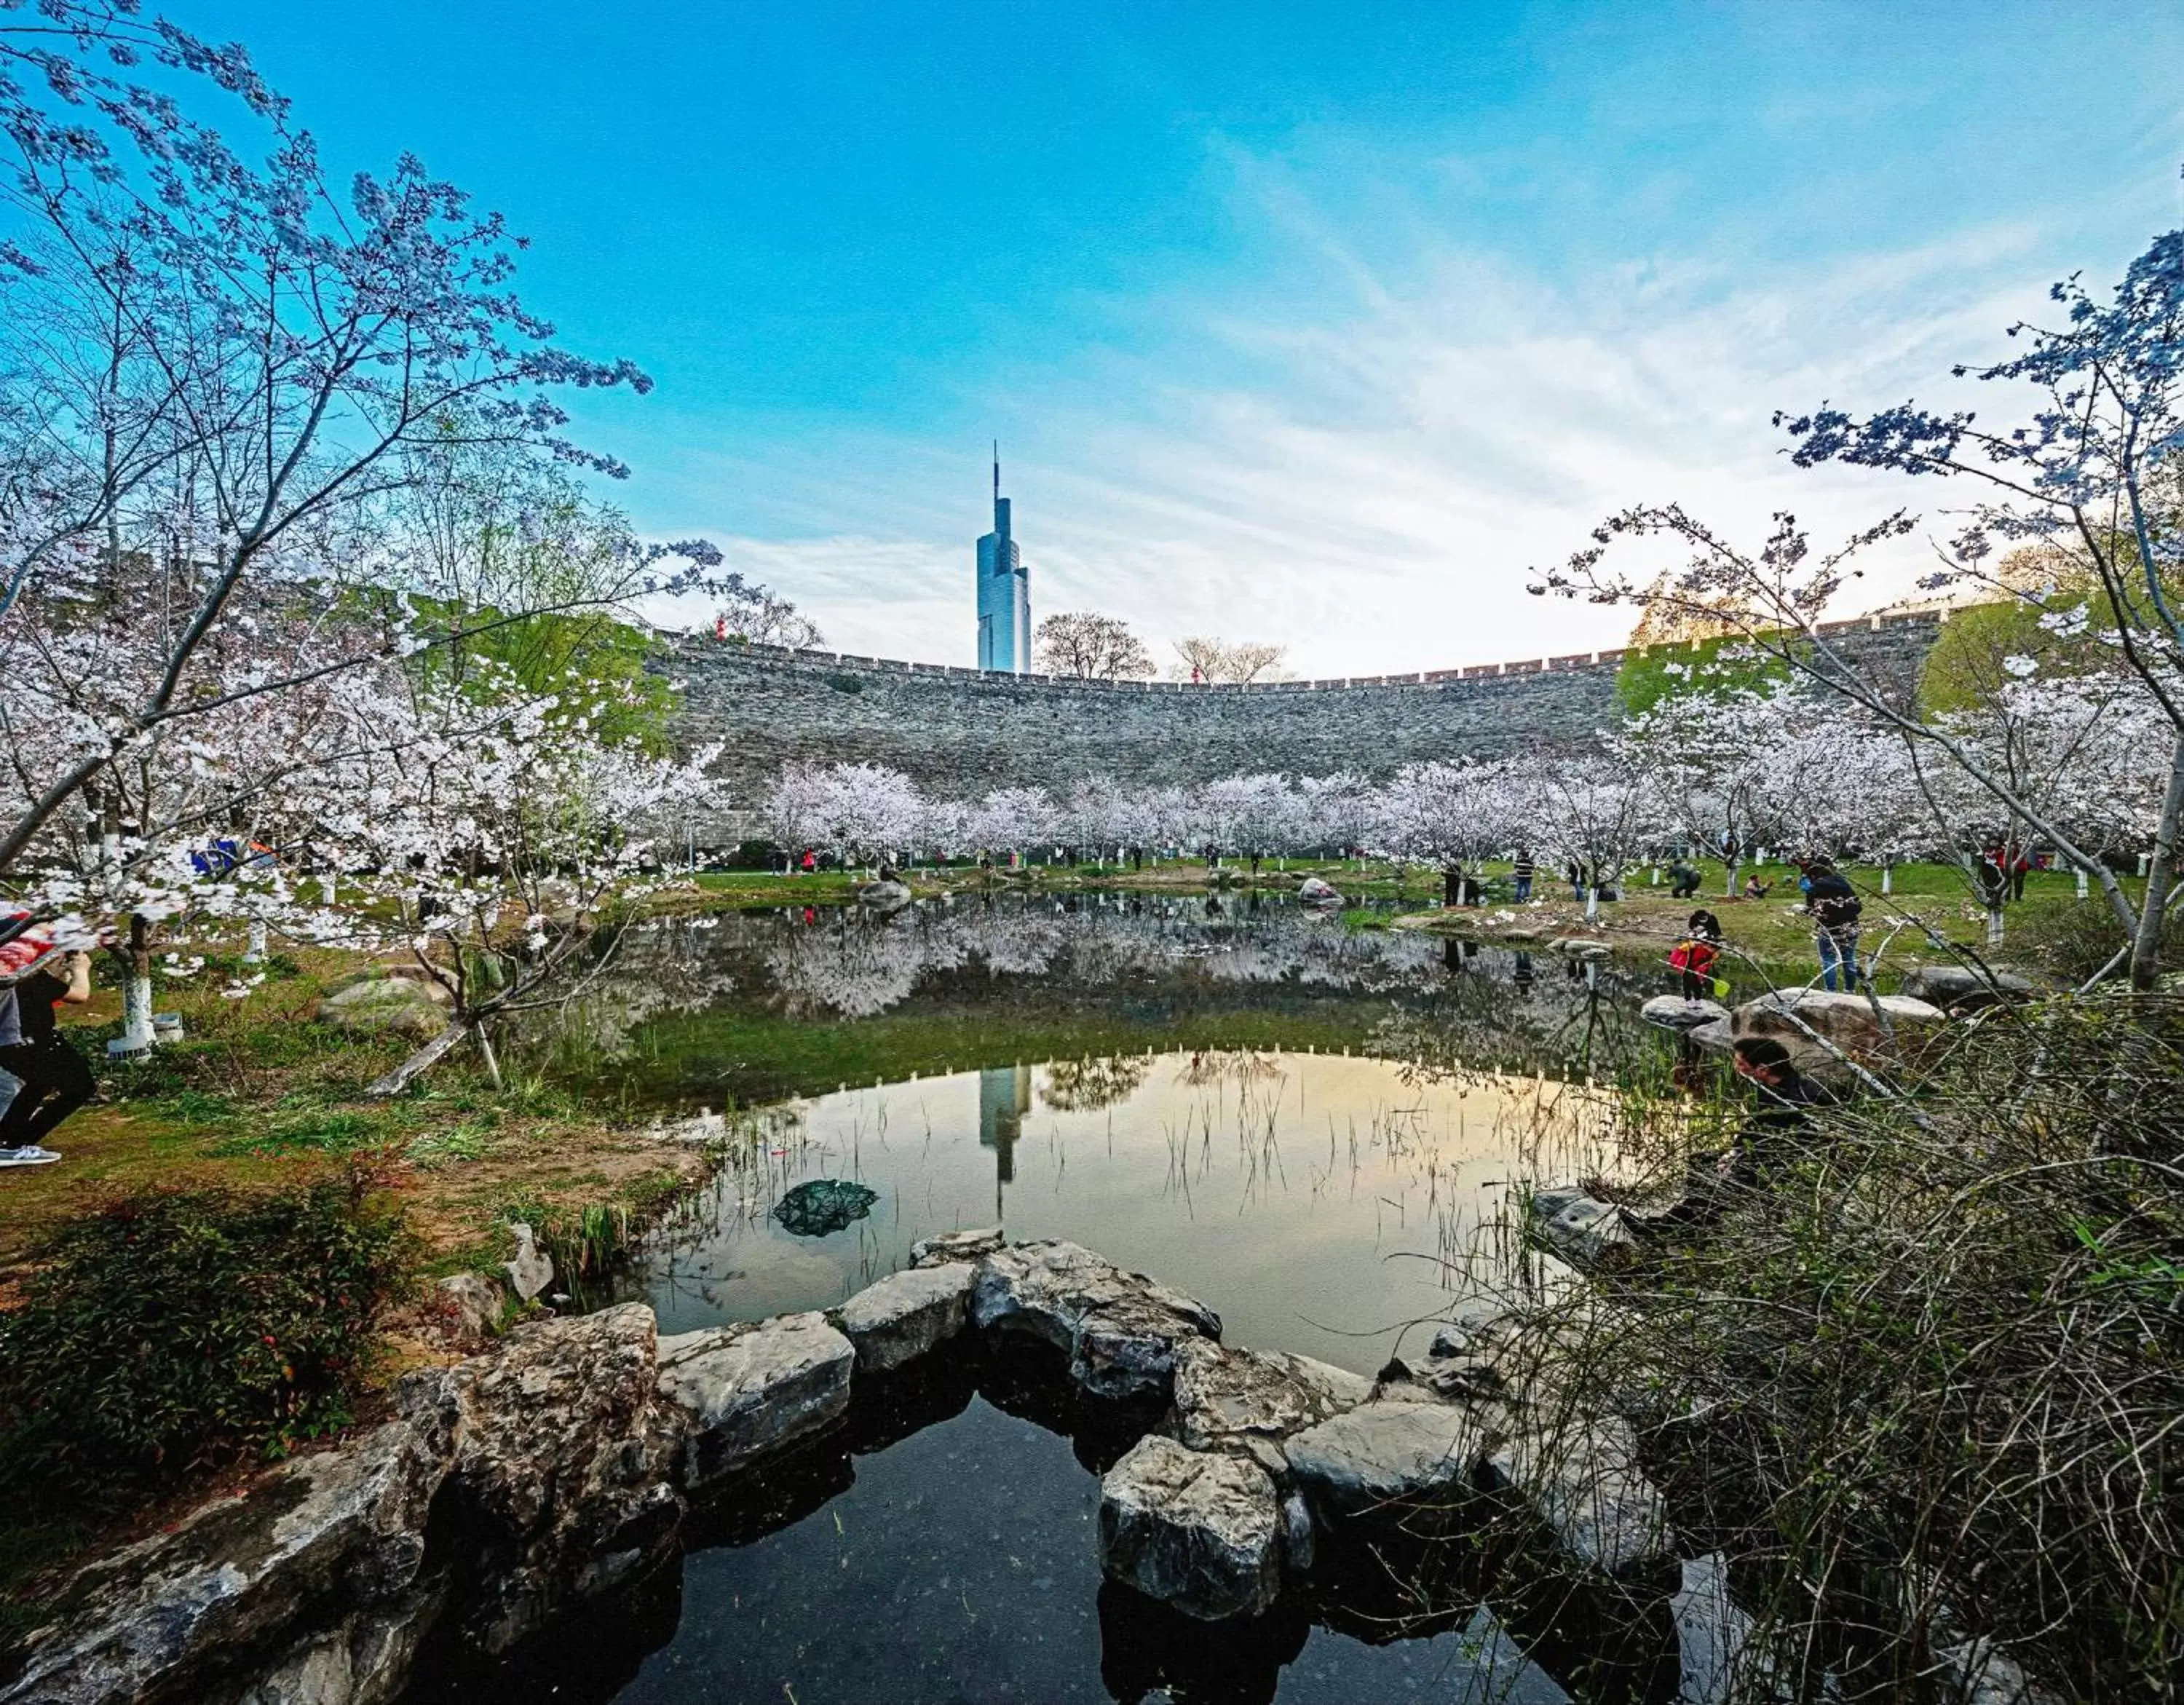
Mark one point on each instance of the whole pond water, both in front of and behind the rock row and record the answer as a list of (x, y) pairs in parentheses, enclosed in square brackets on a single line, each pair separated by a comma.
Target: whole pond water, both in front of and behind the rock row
[(1303, 1119)]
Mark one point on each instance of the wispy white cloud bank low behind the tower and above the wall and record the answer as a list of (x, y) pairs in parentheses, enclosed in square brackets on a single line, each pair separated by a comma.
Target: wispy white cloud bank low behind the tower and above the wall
[(1370, 484)]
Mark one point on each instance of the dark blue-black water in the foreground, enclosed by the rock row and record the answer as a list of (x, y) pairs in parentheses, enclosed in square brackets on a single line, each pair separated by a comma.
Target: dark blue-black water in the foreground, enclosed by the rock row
[(949, 1558)]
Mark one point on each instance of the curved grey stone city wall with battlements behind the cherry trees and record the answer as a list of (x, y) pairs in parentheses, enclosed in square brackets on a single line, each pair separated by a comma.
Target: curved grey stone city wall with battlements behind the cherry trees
[(966, 732)]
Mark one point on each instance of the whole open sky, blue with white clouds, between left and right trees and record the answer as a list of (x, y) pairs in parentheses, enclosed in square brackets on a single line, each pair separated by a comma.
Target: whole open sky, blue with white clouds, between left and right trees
[(1296, 322)]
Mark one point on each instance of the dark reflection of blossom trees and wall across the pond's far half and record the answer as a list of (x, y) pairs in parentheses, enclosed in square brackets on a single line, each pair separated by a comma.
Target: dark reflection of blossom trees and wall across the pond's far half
[(763, 1007)]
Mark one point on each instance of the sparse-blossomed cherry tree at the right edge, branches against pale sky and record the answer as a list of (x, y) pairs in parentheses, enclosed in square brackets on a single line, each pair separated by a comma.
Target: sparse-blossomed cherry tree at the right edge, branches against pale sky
[(2091, 473)]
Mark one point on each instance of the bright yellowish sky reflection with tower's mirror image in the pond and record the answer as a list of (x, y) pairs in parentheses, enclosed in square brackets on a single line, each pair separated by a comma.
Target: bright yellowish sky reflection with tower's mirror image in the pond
[(1316, 1202)]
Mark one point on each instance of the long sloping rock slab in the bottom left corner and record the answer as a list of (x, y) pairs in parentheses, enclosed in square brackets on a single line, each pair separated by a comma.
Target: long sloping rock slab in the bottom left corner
[(171, 1619)]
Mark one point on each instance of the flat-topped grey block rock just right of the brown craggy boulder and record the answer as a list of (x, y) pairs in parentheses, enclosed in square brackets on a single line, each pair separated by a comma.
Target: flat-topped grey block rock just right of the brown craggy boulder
[(752, 1390)]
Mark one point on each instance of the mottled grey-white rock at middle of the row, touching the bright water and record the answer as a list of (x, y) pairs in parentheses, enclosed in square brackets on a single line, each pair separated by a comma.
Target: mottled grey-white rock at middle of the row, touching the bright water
[(1119, 1328)]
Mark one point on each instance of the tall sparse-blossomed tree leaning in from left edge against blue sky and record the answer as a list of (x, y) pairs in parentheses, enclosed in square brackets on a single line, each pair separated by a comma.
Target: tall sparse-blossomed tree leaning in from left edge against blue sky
[(228, 366)]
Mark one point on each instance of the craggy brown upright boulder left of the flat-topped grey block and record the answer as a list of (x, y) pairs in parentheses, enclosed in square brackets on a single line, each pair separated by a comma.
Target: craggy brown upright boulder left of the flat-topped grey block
[(560, 1462)]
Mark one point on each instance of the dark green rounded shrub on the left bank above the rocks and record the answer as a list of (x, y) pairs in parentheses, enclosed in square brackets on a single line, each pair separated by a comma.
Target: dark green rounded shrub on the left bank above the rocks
[(176, 1328)]
